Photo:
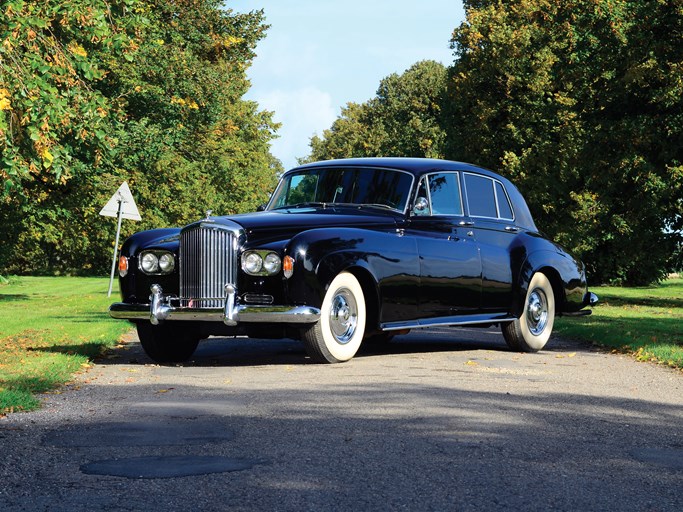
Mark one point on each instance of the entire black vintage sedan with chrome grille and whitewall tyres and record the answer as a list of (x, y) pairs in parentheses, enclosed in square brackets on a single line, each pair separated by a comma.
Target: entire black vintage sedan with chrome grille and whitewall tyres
[(354, 250)]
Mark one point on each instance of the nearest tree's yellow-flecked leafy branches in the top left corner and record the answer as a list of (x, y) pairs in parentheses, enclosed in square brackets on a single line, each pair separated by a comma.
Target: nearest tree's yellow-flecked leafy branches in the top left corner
[(52, 120)]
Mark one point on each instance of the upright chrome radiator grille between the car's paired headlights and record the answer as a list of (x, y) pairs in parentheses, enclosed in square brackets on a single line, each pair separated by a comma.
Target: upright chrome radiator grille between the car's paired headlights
[(207, 263)]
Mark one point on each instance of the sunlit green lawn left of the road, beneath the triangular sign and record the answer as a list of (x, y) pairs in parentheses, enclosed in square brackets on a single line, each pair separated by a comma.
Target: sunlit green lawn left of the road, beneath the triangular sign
[(50, 329)]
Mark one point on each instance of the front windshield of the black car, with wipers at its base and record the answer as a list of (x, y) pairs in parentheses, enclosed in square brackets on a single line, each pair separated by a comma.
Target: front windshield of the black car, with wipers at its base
[(357, 186)]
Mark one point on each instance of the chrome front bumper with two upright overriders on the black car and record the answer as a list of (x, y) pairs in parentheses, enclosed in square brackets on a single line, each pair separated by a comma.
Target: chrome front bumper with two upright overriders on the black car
[(160, 309)]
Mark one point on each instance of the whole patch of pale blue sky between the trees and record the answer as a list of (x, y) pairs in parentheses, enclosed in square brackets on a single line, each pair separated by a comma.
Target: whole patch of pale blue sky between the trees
[(319, 55)]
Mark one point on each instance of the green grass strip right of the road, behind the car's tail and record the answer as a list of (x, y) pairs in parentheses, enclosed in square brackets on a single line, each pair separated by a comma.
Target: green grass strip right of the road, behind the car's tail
[(646, 322)]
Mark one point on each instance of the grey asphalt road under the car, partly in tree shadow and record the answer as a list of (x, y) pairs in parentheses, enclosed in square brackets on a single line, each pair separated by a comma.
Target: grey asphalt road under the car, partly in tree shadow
[(441, 419)]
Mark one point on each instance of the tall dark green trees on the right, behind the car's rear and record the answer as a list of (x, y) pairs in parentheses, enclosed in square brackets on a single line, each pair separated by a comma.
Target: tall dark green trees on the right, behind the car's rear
[(580, 103)]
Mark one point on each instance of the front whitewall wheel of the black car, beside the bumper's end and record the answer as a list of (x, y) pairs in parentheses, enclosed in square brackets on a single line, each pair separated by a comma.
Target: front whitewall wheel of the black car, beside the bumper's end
[(337, 335)]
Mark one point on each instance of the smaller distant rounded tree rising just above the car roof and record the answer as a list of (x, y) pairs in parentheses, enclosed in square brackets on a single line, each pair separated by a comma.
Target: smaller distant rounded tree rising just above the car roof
[(402, 120)]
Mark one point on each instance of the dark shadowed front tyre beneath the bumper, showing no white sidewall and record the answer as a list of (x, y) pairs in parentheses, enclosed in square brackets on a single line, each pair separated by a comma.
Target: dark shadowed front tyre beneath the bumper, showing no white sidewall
[(170, 342)]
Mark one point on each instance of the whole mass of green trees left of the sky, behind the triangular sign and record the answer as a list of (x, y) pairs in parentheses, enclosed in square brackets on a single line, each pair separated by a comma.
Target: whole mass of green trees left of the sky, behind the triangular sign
[(150, 91)]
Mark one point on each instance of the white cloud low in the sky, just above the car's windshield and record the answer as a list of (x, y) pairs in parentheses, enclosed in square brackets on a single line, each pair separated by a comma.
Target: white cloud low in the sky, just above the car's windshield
[(302, 113)]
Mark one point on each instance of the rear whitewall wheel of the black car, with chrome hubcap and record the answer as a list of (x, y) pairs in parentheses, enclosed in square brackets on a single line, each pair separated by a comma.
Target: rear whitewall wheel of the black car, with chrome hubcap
[(531, 331)]
